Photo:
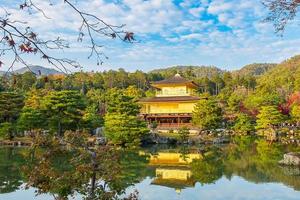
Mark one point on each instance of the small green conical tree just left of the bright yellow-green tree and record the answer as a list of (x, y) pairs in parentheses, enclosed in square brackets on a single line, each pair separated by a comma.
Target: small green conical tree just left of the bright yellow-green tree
[(244, 124)]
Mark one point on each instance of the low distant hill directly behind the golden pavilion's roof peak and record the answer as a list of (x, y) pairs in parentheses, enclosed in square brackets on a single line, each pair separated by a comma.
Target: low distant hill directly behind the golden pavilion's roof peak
[(197, 71)]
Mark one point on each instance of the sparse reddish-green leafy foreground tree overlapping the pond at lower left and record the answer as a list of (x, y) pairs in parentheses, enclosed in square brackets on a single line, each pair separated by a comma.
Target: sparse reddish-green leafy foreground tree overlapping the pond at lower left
[(74, 168)]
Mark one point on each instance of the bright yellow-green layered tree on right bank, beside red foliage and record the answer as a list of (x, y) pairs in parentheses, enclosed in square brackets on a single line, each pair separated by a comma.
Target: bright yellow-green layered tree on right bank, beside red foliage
[(268, 116)]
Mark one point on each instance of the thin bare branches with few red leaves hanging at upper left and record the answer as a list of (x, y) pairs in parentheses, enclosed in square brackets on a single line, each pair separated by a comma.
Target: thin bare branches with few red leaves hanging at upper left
[(19, 41)]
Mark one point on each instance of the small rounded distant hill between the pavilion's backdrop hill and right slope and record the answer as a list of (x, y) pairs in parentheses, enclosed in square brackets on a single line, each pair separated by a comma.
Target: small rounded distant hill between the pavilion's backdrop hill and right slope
[(255, 69)]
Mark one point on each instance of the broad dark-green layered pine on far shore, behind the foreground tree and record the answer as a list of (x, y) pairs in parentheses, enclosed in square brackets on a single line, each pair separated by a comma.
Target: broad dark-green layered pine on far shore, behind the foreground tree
[(64, 110)]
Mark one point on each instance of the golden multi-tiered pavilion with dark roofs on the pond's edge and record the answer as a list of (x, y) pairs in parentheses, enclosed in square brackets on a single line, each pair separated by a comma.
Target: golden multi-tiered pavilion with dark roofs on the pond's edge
[(173, 103)]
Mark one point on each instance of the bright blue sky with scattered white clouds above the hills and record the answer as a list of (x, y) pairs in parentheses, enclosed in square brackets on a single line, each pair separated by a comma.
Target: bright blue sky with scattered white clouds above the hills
[(224, 33)]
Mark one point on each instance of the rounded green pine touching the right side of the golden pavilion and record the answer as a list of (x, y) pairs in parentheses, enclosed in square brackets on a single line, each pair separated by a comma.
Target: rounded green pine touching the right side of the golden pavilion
[(207, 114)]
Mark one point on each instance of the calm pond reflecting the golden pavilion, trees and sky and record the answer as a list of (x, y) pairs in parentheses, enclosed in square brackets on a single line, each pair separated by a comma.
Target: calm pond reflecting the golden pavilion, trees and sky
[(244, 169)]
